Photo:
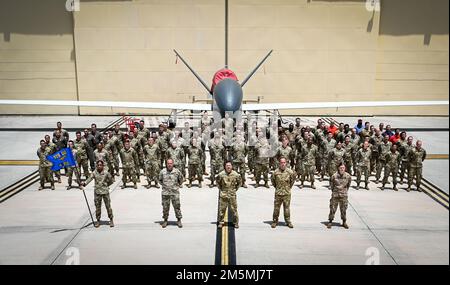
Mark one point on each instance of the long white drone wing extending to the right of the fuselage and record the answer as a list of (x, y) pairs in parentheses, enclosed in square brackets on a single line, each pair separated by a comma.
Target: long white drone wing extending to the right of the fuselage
[(349, 104)]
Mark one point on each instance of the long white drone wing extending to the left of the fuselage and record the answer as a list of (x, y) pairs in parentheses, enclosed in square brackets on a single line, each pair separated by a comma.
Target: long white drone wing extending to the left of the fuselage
[(117, 104)]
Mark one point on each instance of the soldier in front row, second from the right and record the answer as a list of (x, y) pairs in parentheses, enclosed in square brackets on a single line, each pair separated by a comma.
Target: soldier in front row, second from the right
[(282, 179)]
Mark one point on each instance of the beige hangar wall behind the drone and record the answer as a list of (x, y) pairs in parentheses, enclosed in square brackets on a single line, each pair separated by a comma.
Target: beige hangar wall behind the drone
[(323, 51)]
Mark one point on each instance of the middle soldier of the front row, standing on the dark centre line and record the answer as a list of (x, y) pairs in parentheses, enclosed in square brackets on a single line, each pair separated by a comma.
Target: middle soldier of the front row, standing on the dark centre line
[(228, 182)]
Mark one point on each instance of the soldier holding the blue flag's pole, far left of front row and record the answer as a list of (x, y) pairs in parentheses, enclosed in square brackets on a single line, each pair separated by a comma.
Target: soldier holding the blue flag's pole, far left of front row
[(103, 179)]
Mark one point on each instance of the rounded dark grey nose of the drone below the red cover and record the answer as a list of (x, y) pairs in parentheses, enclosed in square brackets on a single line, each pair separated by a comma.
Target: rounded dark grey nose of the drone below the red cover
[(228, 95)]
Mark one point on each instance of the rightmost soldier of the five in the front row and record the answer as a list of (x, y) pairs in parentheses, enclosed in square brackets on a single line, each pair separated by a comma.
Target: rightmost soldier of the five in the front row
[(340, 183)]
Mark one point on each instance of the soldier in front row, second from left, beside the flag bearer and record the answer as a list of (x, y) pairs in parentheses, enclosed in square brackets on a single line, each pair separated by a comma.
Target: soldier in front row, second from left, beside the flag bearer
[(171, 180)]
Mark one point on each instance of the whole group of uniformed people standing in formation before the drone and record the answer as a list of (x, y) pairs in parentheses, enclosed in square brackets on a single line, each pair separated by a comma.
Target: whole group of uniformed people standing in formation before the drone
[(236, 149)]
